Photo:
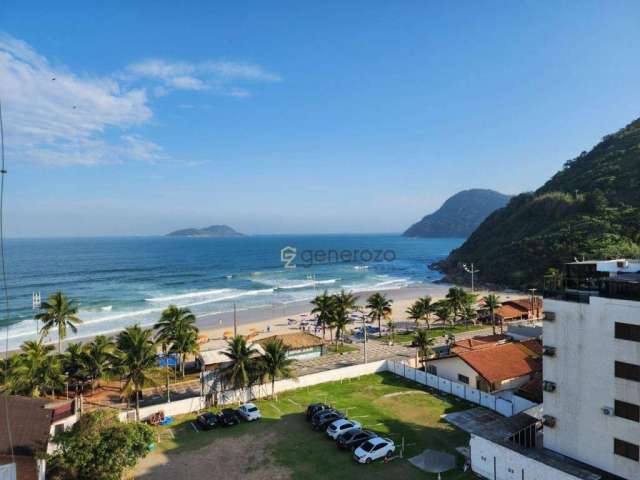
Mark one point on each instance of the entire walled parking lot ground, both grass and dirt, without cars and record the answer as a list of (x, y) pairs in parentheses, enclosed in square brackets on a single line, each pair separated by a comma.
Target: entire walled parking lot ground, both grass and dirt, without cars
[(282, 445)]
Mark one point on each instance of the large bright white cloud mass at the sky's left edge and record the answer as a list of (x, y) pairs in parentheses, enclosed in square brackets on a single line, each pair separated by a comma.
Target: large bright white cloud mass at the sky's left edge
[(54, 116)]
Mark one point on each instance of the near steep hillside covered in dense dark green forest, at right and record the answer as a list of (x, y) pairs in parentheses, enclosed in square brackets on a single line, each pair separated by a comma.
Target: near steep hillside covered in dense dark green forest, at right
[(590, 209)]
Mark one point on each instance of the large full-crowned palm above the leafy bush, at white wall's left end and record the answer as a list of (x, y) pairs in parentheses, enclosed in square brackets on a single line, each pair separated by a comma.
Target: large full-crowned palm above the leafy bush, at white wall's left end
[(136, 360)]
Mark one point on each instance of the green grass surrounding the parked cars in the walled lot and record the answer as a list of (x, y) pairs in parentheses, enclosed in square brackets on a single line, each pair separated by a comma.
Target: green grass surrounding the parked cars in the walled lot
[(387, 404)]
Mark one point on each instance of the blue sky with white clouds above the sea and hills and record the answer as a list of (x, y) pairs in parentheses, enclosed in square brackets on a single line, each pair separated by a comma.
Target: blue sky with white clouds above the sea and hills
[(298, 117)]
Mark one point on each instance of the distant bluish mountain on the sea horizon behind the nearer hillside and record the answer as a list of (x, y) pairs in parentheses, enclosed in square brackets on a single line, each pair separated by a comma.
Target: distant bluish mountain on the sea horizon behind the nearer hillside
[(459, 215)]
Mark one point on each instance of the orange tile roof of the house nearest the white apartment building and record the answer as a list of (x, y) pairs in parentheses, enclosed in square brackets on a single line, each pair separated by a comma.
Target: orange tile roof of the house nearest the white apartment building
[(503, 362)]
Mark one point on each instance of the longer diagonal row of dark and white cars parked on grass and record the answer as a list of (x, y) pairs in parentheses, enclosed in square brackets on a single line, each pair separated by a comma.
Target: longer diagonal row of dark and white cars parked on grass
[(366, 446)]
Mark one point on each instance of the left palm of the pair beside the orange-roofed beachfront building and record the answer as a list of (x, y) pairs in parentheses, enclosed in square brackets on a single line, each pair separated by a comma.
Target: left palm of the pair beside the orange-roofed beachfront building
[(242, 369)]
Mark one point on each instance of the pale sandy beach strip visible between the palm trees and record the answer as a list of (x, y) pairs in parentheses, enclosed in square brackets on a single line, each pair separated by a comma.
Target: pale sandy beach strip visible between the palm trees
[(273, 319)]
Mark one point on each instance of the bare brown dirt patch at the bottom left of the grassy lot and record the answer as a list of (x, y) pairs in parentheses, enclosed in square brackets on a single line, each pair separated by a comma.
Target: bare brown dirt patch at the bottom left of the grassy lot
[(230, 458)]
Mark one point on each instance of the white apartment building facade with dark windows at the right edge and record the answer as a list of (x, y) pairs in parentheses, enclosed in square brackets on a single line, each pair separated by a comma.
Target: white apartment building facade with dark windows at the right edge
[(592, 383)]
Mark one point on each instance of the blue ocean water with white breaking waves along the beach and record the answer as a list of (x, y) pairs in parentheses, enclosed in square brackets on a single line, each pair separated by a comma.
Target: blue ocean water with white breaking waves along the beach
[(122, 281)]
